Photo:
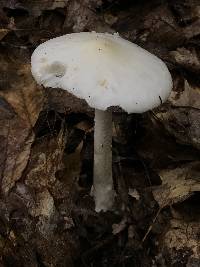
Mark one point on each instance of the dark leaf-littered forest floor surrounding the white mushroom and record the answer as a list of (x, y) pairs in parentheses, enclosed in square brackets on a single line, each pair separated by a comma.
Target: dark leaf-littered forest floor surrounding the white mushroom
[(47, 215)]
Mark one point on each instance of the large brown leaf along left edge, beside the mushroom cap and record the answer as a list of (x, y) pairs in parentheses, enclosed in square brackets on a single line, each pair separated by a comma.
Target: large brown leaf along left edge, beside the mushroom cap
[(21, 104)]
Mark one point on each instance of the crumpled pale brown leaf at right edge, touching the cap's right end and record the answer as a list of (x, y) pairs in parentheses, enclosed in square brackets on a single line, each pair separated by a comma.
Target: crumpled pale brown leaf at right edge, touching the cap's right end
[(182, 120)]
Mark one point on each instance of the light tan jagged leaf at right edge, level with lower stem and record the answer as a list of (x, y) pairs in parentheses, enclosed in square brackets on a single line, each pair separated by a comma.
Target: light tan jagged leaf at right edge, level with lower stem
[(177, 184)]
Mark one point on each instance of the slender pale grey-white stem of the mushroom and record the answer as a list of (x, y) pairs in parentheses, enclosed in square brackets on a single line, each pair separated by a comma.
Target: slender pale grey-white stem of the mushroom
[(103, 182)]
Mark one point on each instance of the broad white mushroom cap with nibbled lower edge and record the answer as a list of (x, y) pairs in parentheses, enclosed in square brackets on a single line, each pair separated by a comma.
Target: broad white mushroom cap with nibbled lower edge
[(103, 69)]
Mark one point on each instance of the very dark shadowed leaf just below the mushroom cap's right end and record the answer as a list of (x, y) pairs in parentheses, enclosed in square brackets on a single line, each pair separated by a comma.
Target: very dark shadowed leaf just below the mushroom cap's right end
[(163, 150)]
